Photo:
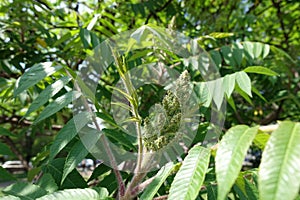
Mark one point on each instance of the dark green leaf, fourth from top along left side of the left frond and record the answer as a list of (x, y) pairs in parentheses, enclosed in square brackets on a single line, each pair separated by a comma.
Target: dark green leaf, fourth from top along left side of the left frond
[(68, 132)]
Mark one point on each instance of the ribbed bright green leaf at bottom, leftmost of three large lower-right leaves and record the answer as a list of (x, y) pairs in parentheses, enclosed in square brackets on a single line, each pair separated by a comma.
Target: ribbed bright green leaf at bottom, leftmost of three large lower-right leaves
[(189, 178)]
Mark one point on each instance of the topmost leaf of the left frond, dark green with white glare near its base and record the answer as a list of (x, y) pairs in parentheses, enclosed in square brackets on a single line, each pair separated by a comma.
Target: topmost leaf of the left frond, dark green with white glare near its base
[(34, 75)]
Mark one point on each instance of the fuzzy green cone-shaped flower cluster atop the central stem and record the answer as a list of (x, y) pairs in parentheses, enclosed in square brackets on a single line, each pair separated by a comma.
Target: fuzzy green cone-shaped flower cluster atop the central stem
[(162, 126)]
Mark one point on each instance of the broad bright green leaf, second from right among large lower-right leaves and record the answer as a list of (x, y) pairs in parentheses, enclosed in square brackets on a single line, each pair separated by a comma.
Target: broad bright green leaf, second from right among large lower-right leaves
[(230, 156)]
